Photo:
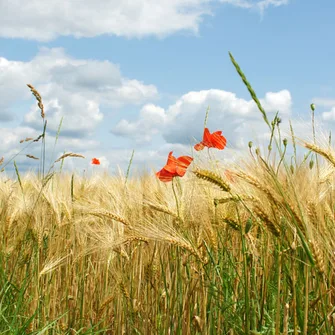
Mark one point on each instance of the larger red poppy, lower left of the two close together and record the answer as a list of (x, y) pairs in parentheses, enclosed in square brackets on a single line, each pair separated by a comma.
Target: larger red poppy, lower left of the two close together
[(174, 167)]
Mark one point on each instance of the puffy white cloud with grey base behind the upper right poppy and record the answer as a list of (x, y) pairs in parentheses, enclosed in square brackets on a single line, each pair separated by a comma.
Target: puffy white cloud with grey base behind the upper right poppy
[(239, 119)]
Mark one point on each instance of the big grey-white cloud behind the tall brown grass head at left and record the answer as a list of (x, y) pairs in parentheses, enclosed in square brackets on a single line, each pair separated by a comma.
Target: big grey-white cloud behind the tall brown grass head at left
[(70, 88)]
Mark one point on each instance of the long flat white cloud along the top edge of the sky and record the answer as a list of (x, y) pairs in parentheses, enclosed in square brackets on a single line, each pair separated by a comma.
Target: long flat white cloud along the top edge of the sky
[(46, 20)]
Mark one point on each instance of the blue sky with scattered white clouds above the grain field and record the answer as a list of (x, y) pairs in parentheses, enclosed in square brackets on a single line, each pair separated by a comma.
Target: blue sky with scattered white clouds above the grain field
[(139, 75)]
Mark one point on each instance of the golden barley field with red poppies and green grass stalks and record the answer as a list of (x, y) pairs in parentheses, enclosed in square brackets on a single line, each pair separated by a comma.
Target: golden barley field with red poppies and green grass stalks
[(247, 248)]
